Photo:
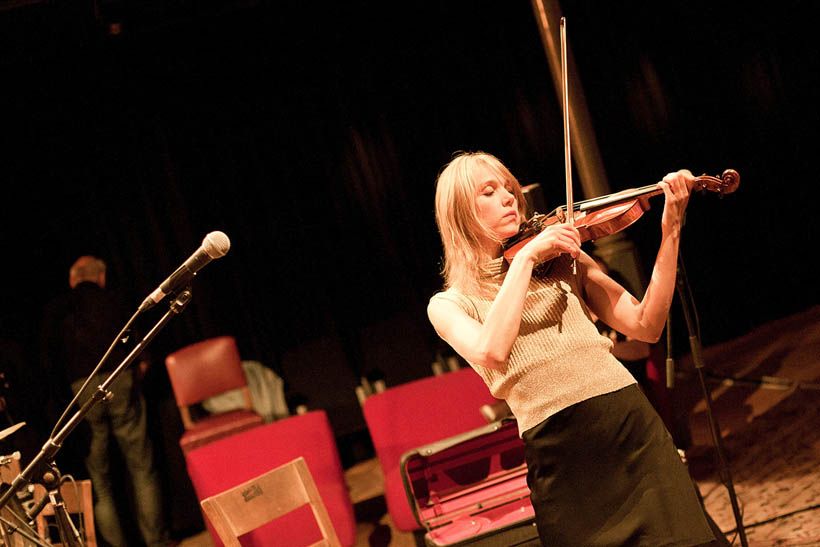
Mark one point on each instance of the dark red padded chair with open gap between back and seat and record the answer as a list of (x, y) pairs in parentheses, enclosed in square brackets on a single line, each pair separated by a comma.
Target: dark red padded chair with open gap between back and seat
[(200, 371)]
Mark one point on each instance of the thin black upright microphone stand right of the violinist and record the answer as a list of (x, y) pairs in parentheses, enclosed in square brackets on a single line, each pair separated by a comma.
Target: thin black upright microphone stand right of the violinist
[(687, 305)]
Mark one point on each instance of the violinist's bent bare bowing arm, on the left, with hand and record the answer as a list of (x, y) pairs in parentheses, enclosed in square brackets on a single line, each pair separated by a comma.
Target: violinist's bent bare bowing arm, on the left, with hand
[(489, 343)]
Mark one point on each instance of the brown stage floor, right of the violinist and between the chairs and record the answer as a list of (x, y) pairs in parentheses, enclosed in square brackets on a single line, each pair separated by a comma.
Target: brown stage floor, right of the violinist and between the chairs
[(764, 391)]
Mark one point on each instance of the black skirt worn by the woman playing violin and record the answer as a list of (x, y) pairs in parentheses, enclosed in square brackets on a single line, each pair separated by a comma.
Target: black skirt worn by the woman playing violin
[(605, 472)]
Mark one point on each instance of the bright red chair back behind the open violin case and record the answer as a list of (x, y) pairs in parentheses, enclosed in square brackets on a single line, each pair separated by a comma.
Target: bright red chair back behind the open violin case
[(418, 413)]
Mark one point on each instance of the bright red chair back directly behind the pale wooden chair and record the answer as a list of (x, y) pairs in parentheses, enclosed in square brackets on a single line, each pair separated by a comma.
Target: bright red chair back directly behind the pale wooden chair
[(221, 465)]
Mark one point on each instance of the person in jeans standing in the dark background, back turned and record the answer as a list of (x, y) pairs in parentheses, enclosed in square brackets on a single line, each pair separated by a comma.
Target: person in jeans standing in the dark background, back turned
[(77, 330)]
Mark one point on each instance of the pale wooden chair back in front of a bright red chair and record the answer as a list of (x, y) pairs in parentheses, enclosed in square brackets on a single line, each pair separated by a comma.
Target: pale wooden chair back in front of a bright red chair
[(267, 497)]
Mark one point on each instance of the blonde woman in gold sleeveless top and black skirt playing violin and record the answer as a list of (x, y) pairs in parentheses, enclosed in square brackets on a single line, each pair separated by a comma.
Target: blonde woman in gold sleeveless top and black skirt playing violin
[(602, 468)]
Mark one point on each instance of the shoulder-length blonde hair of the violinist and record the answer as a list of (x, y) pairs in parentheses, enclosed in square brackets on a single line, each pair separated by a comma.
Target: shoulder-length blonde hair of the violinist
[(457, 217)]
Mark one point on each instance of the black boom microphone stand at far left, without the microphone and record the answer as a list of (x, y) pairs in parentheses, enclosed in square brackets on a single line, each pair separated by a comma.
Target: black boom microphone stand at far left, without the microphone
[(44, 461)]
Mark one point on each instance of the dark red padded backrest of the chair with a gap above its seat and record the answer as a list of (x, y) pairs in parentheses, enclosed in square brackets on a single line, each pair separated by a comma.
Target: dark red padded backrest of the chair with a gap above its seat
[(204, 369)]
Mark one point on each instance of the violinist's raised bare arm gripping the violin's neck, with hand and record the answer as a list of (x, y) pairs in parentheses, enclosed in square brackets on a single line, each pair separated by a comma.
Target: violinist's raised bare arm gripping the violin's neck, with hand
[(643, 320)]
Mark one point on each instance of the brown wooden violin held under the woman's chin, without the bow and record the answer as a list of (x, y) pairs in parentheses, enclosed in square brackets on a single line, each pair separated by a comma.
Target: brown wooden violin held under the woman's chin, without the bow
[(599, 217)]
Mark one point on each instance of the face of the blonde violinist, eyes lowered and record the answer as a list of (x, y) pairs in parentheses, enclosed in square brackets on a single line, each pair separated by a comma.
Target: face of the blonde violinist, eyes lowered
[(496, 204)]
